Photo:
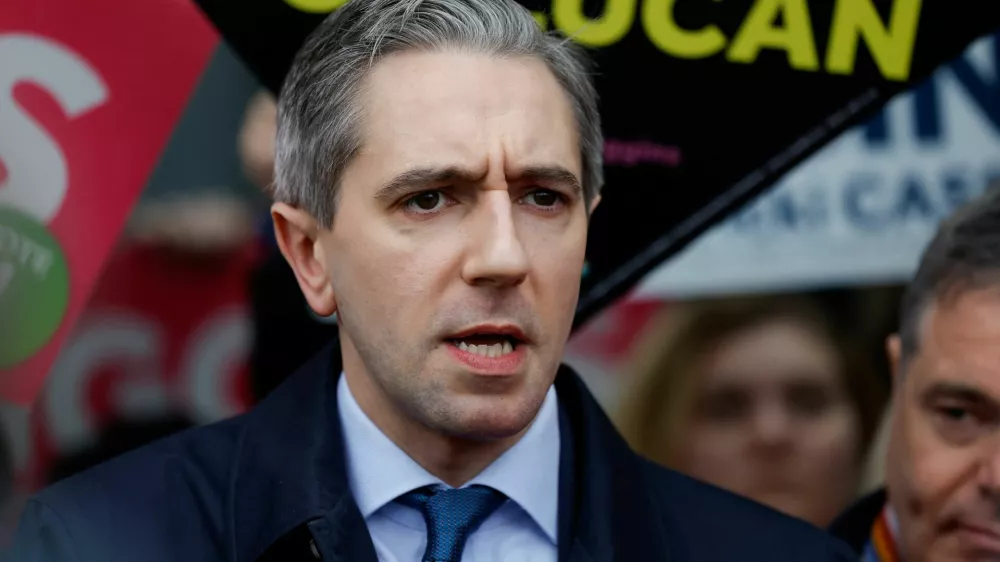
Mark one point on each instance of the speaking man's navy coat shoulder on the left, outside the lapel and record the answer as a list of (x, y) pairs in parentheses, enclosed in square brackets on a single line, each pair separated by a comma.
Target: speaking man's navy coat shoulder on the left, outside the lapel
[(170, 491)]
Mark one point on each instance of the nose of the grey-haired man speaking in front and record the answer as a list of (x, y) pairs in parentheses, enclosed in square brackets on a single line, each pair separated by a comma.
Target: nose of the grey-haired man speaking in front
[(496, 254)]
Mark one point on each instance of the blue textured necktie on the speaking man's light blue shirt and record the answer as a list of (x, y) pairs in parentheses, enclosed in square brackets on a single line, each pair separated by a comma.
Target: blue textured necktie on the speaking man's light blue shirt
[(451, 516)]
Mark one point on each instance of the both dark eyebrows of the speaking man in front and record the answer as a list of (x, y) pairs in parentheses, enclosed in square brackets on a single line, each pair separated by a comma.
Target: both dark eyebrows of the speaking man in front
[(424, 178)]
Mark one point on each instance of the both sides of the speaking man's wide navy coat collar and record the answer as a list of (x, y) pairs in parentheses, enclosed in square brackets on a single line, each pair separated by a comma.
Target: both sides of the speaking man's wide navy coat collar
[(290, 470)]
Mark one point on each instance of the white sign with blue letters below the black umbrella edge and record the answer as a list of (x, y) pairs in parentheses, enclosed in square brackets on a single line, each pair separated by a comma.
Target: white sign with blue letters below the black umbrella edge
[(861, 210)]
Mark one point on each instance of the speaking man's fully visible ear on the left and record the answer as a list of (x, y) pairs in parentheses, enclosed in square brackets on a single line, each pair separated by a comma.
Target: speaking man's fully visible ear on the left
[(298, 237)]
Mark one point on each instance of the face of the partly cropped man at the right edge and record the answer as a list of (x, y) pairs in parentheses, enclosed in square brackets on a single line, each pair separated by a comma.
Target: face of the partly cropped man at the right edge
[(944, 456)]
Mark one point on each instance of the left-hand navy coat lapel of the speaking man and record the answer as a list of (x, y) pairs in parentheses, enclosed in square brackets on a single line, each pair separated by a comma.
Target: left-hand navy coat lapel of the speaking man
[(289, 492)]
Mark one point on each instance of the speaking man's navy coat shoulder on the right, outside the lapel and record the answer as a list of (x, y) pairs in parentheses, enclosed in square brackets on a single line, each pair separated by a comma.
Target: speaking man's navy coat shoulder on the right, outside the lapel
[(720, 525)]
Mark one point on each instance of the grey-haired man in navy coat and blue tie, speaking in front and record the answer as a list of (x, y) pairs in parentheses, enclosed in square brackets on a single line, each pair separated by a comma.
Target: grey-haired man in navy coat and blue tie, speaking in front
[(437, 165)]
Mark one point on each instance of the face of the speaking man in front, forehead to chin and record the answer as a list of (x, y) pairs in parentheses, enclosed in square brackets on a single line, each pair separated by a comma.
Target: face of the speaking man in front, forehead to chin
[(456, 253)]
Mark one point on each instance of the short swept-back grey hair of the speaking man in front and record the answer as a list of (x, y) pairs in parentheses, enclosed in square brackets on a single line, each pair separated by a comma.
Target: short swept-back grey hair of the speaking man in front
[(319, 112)]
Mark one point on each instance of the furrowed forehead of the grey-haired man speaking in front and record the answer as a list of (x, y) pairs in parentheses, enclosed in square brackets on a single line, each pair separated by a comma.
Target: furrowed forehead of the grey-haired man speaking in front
[(479, 113)]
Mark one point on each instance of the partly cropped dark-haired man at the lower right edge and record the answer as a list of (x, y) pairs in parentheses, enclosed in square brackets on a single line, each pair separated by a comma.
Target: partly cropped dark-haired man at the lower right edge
[(942, 496)]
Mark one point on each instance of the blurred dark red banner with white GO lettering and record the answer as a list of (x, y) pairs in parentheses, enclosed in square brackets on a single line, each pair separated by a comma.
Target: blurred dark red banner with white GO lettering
[(164, 333)]
